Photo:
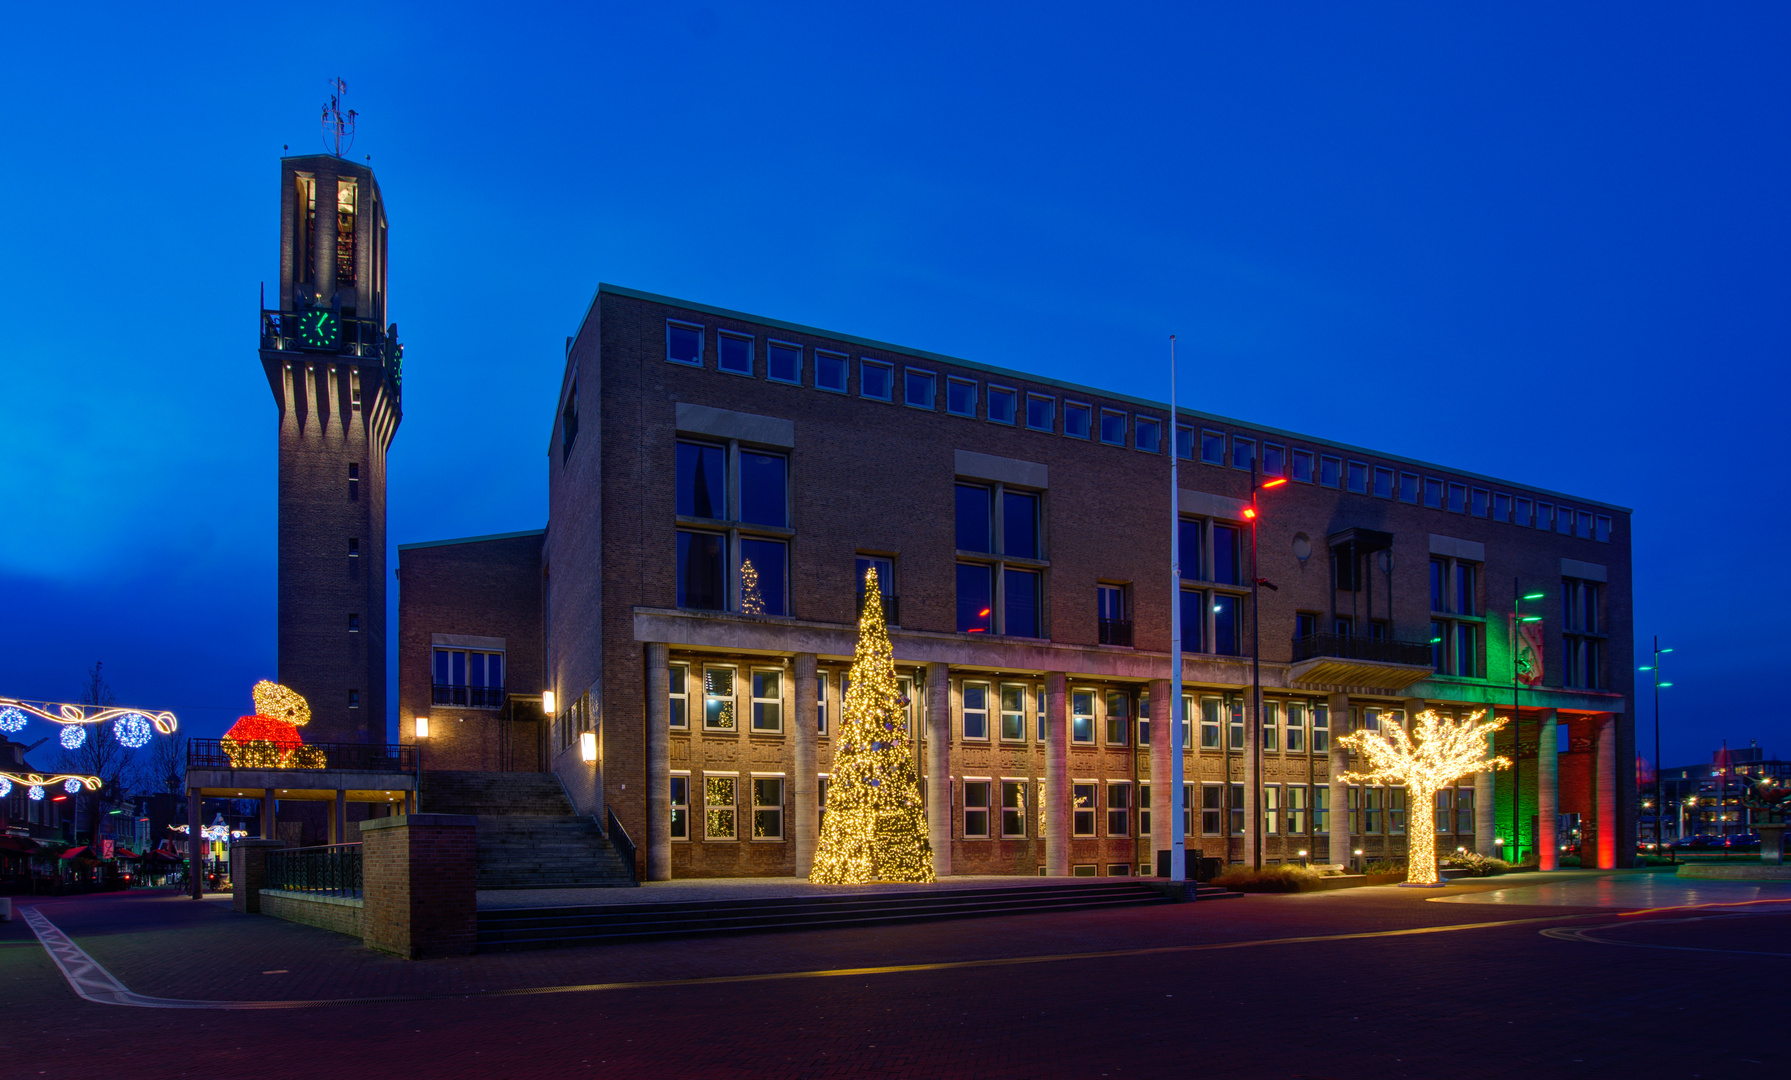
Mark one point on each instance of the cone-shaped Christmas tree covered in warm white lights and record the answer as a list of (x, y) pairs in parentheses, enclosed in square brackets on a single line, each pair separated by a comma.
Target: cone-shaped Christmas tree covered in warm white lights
[(875, 827)]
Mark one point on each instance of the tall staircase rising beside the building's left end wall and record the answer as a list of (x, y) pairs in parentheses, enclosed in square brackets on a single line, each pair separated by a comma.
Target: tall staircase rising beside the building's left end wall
[(529, 836)]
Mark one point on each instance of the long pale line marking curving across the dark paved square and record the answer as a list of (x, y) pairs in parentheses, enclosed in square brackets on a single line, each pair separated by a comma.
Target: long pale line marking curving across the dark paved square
[(96, 984)]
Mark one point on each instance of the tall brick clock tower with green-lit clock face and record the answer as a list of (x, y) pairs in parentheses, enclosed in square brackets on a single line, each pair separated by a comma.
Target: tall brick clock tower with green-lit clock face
[(334, 366)]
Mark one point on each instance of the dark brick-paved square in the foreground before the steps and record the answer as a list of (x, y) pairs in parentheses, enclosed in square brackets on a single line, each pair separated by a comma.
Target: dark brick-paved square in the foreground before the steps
[(1539, 975)]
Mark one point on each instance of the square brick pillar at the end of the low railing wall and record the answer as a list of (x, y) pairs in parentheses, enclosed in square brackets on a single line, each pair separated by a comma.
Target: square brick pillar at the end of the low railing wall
[(418, 884)]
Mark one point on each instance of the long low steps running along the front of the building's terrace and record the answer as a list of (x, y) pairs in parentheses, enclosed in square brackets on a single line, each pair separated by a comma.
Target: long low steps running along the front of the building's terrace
[(545, 929)]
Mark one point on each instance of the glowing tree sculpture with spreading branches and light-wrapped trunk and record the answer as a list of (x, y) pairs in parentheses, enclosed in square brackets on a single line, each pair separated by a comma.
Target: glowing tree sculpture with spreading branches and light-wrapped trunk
[(1434, 755)]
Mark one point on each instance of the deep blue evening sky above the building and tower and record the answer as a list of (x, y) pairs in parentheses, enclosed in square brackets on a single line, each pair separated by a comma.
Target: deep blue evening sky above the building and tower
[(1545, 243)]
